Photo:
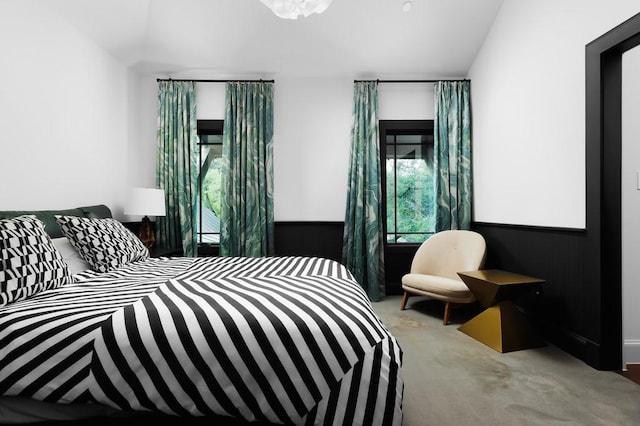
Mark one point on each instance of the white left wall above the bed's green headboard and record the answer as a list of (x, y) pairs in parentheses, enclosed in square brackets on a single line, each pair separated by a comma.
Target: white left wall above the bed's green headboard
[(63, 114)]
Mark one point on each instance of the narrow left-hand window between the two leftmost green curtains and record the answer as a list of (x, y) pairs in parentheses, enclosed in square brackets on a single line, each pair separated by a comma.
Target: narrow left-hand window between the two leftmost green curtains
[(209, 181)]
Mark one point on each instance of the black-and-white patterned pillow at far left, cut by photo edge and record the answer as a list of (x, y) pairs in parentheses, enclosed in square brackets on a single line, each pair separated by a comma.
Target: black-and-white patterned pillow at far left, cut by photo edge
[(29, 261)]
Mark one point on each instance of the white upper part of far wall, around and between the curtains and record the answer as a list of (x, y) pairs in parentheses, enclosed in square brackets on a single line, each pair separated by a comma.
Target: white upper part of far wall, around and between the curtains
[(311, 136)]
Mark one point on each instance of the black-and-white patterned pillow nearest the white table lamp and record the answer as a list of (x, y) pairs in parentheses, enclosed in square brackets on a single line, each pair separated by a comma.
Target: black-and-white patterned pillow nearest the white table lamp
[(104, 243)]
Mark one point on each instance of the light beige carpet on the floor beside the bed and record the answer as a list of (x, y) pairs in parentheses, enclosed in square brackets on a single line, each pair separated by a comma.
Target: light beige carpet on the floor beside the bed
[(452, 379)]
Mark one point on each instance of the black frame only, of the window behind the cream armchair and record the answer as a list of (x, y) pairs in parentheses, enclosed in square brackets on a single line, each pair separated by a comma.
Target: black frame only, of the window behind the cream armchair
[(397, 127)]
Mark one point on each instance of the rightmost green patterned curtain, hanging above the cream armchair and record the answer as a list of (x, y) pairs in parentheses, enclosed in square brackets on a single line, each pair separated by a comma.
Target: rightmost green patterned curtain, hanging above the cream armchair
[(452, 151)]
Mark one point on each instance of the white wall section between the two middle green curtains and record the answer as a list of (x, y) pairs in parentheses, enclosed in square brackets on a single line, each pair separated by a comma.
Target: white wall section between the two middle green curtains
[(311, 148)]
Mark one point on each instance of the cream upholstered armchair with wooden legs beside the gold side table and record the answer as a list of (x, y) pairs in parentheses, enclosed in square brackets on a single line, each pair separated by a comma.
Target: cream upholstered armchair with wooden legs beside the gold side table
[(435, 266)]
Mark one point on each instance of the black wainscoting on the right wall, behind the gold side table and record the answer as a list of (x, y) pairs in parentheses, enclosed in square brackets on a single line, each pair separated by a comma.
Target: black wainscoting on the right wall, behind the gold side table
[(564, 311)]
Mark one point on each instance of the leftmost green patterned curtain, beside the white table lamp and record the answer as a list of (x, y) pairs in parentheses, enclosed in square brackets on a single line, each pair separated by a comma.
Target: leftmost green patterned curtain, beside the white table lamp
[(177, 164)]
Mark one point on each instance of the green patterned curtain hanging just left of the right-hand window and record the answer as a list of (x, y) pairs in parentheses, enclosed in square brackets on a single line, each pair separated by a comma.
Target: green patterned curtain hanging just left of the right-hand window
[(363, 245)]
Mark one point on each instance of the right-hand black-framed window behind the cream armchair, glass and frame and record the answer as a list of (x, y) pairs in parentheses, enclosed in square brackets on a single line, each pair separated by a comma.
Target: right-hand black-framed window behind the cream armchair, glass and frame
[(407, 157)]
